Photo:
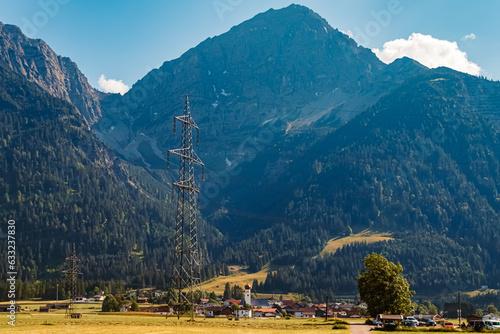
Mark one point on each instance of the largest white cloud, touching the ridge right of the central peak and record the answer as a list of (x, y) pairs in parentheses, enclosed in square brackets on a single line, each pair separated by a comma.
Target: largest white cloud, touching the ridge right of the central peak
[(429, 51)]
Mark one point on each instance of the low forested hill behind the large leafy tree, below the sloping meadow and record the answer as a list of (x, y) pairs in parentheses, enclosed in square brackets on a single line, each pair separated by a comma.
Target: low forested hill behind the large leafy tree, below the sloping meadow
[(432, 263)]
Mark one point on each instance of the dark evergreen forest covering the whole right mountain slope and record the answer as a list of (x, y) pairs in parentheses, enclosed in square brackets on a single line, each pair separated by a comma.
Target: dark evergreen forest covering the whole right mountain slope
[(424, 161)]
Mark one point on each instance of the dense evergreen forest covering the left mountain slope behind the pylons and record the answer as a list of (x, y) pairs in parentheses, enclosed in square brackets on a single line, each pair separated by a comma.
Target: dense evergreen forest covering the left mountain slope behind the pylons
[(62, 185)]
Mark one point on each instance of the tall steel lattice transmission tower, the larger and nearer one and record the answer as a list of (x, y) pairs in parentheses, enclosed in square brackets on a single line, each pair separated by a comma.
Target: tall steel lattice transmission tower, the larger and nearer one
[(186, 271)]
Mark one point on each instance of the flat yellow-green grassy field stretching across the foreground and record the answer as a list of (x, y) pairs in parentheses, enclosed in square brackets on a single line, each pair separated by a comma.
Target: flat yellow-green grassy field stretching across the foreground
[(123, 323)]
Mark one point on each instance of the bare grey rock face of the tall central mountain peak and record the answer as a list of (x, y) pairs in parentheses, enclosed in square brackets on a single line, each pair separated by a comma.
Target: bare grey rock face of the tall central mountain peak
[(288, 68)]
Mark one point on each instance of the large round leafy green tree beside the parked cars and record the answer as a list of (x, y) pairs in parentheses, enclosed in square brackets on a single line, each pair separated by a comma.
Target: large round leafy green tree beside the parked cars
[(383, 288)]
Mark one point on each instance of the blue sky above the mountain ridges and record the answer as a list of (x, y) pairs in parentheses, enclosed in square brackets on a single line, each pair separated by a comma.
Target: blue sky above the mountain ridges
[(125, 39)]
